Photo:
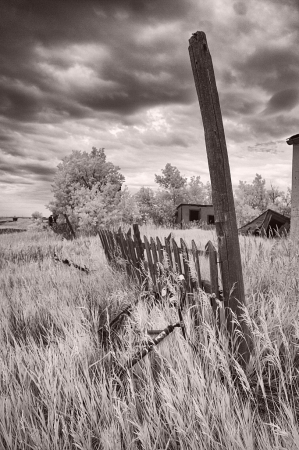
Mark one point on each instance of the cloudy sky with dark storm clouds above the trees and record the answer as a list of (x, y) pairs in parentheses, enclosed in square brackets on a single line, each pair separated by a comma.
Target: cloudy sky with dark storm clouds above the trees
[(117, 74)]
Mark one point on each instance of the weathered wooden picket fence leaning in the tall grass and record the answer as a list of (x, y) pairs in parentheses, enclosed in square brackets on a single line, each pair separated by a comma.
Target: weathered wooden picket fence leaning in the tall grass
[(150, 259)]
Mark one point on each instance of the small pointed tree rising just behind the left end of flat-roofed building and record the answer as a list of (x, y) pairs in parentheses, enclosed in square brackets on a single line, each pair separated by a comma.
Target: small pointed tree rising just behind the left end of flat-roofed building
[(172, 181)]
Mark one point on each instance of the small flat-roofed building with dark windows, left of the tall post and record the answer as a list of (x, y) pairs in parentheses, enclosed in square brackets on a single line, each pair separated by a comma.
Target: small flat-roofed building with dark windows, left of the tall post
[(190, 212)]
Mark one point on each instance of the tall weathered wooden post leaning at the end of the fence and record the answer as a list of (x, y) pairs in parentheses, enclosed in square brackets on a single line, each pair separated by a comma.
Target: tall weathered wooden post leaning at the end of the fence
[(222, 193)]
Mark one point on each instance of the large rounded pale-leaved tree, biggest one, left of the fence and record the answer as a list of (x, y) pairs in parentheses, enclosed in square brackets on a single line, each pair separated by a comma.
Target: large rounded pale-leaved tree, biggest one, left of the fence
[(87, 189)]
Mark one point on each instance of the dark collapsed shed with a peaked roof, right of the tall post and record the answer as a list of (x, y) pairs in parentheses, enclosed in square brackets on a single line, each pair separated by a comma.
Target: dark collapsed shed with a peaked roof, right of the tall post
[(268, 223)]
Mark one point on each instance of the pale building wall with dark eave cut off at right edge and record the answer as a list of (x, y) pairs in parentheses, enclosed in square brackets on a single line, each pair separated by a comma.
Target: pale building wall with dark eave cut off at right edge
[(294, 233)]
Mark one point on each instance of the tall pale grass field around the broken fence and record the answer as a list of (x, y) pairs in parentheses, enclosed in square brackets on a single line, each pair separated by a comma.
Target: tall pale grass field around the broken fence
[(58, 369)]
